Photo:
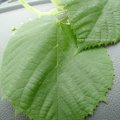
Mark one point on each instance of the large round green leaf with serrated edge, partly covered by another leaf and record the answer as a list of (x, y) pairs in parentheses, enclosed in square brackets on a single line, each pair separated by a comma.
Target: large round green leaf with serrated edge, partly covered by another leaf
[(43, 78)]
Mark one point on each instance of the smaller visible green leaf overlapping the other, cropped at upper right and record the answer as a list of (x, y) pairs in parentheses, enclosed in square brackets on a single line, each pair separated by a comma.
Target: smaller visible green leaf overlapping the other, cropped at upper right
[(95, 22)]
